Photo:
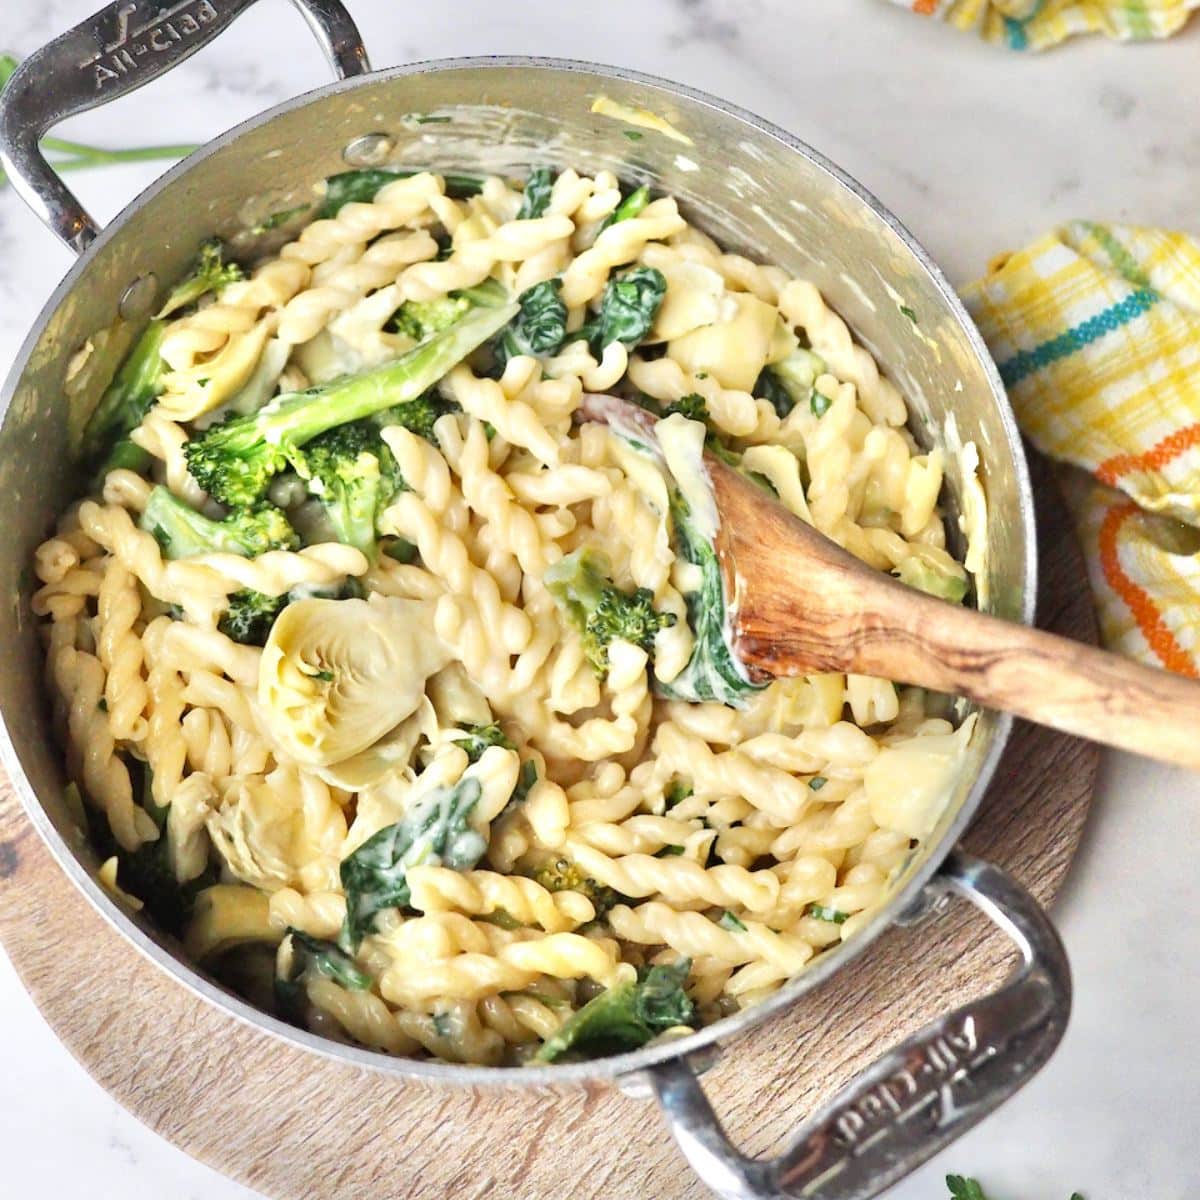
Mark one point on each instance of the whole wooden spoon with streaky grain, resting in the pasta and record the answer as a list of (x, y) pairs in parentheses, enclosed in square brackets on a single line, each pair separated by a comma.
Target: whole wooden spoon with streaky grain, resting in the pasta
[(805, 605)]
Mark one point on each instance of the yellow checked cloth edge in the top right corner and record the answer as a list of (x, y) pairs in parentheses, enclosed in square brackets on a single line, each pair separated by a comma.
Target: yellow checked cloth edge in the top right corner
[(1036, 25)]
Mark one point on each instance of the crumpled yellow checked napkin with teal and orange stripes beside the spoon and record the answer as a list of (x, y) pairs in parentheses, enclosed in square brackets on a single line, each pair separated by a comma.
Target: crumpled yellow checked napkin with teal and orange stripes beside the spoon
[(1096, 331)]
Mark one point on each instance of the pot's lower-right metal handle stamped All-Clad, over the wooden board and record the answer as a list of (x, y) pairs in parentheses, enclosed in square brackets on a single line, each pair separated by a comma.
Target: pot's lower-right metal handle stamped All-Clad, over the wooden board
[(920, 1096)]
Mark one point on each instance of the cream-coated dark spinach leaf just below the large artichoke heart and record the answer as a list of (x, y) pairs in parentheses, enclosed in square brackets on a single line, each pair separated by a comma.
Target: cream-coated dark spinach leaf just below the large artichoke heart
[(435, 832)]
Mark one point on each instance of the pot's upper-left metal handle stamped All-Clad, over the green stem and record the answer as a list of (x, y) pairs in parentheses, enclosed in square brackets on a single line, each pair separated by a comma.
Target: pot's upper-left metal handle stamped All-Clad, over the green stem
[(116, 52)]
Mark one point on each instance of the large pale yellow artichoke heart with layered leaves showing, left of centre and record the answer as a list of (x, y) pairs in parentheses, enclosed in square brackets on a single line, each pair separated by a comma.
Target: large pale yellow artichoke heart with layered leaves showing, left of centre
[(338, 675)]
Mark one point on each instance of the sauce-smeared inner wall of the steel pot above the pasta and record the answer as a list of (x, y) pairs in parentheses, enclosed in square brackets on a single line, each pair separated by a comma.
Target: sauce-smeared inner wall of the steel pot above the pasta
[(743, 185)]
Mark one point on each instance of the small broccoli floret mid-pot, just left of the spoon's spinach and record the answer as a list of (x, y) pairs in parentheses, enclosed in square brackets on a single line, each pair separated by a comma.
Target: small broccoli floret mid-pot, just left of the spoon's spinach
[(601, 610)]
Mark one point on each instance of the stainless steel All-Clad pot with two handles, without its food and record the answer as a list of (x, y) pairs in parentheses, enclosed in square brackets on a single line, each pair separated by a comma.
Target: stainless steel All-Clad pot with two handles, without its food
[(759, 191)]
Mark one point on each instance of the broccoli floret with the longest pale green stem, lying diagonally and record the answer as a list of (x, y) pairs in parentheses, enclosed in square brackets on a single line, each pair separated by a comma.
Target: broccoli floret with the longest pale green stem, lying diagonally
[(235, 461)]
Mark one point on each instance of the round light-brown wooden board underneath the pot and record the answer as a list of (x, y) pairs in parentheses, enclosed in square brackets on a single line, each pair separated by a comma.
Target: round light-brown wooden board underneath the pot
[(298, 1127)]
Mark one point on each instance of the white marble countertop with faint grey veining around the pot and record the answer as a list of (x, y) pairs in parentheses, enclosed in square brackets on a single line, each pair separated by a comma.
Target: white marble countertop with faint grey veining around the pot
[(976, 151)]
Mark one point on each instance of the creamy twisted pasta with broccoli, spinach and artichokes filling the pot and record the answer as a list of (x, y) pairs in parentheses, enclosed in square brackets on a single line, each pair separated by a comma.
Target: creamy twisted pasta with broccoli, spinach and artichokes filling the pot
[(401, 692)]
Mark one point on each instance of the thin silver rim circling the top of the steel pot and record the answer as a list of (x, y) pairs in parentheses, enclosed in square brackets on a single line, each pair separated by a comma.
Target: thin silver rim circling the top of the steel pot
[(903, 902)]
